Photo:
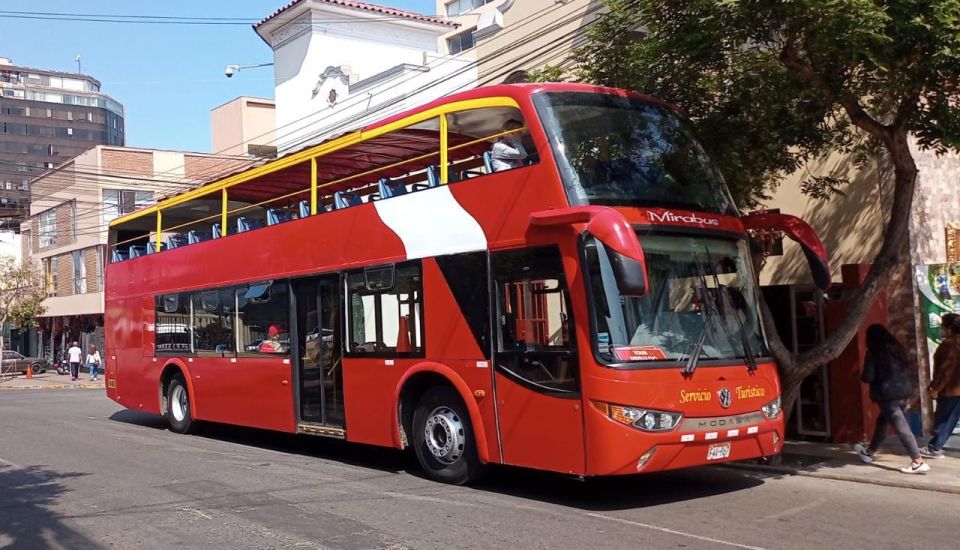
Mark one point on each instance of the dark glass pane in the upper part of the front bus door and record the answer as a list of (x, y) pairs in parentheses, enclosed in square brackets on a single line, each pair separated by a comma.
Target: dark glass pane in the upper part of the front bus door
[(534, 328)]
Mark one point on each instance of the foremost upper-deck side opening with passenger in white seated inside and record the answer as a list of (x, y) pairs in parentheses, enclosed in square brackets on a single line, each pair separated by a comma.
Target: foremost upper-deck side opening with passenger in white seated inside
[(483, 141)]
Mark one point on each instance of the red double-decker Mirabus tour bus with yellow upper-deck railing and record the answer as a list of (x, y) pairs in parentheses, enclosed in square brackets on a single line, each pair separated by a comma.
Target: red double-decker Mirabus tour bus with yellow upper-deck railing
[(550, 276)]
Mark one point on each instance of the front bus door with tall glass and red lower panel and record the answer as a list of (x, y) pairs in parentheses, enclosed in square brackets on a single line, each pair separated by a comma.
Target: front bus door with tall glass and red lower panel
[(535, 358)]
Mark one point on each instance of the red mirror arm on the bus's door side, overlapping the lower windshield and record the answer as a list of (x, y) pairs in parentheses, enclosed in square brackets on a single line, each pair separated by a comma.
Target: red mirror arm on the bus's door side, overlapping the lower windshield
[(613, 230)]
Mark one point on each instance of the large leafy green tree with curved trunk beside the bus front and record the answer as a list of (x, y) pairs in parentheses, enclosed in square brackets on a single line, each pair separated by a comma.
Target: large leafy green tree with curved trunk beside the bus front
[(769, 85)]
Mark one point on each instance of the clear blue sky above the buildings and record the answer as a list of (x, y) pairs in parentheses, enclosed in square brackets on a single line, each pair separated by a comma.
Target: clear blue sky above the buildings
[(167, 76)]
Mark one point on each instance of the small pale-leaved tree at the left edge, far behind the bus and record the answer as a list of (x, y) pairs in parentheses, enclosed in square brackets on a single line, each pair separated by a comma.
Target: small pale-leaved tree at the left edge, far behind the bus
[(21, 294)]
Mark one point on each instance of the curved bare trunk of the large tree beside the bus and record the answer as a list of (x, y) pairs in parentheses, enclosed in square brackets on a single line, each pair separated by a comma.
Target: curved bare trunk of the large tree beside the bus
[(795, 368)]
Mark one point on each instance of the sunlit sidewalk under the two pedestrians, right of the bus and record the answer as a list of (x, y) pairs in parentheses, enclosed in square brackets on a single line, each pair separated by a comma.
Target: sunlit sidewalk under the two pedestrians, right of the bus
[(840, 462)]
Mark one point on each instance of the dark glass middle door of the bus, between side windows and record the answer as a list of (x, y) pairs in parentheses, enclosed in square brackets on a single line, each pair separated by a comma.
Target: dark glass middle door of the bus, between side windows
[(318, 353)]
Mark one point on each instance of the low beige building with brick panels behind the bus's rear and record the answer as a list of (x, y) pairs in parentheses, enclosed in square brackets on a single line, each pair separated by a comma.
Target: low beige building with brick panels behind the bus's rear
[(70, 209)]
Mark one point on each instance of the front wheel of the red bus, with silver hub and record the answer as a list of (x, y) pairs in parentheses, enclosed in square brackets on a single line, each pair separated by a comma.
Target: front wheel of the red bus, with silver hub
[(443, 437)]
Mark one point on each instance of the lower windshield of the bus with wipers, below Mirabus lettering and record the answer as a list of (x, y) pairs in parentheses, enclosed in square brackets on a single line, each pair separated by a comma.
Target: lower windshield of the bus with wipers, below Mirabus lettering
[(701, 301)]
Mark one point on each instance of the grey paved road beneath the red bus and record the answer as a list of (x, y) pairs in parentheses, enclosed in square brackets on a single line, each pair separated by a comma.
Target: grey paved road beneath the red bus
[(76, 471)]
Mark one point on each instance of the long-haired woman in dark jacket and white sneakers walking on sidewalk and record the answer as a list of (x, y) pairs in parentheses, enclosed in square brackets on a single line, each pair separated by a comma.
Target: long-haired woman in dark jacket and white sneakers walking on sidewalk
[(886, 370)]
